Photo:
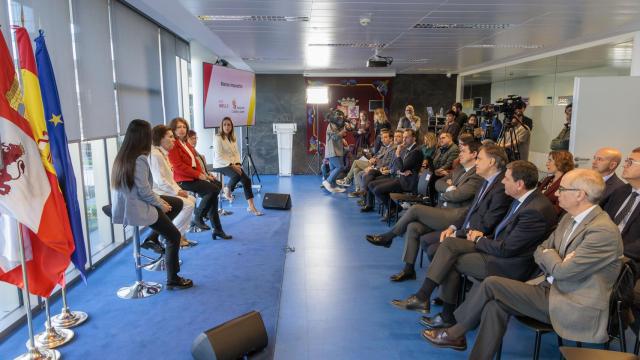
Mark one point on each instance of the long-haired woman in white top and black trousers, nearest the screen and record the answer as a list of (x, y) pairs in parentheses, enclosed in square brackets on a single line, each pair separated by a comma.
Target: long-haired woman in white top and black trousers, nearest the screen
[(226, 160)]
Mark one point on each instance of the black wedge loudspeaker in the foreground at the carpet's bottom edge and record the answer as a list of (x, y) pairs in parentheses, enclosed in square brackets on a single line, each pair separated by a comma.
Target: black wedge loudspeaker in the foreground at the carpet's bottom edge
[(231, 340)]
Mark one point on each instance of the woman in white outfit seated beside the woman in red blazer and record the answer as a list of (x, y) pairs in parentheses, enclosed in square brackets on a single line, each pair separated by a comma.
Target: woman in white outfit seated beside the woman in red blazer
[(163, 183)]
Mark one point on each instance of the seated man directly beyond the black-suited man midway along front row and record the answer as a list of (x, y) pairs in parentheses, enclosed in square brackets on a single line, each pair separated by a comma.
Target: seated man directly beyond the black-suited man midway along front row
[(379, 162)]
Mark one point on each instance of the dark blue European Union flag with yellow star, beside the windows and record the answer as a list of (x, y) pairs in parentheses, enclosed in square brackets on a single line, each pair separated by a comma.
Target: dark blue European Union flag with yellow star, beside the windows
[(60, 149)]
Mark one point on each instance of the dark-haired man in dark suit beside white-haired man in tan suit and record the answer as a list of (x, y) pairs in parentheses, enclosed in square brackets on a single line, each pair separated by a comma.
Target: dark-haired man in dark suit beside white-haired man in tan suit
[(507, 252)]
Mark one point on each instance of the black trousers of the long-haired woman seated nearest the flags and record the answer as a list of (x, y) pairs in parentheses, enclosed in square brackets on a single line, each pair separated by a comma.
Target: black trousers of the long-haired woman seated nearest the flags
[(165, 228)]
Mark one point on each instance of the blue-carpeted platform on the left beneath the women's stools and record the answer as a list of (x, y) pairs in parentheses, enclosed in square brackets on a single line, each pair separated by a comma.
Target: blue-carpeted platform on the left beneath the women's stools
[(231, 278)]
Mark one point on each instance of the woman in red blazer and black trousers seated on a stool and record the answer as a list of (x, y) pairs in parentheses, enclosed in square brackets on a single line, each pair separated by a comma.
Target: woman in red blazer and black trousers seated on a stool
[(190, 175)]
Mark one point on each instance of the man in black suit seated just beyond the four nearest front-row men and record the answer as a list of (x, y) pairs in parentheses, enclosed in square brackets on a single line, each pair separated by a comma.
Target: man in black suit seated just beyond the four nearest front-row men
[(408, 162)]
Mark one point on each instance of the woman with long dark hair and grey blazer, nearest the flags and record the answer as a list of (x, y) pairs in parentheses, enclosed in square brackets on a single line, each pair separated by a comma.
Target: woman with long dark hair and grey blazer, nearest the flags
[(135, 203)]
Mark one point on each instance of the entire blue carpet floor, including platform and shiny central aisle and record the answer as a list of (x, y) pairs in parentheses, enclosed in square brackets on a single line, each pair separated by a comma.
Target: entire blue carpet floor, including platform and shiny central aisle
[(332, 302)]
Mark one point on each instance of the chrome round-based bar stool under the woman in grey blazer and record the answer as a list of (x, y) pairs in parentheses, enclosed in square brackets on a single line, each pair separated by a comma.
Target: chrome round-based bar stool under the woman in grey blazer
[(139, 289)]
